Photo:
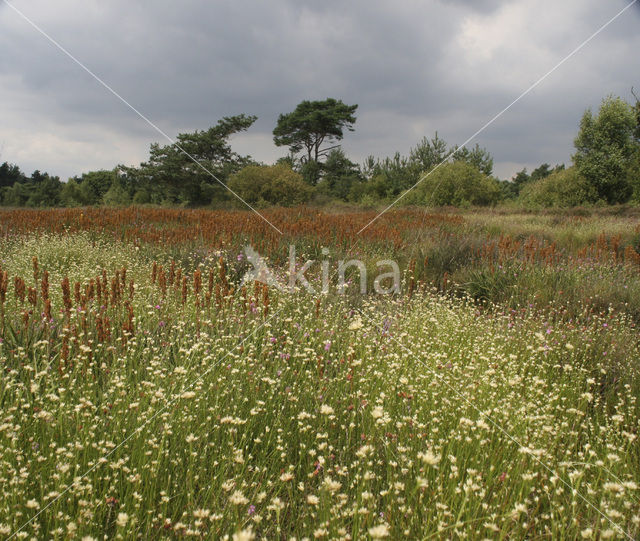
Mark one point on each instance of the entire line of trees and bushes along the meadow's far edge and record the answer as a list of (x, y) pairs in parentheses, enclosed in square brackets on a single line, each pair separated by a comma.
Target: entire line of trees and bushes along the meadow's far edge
[(201, 169)]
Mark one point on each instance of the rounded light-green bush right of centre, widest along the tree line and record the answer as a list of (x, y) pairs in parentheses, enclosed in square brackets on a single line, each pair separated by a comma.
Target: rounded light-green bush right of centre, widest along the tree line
[(458, 184)]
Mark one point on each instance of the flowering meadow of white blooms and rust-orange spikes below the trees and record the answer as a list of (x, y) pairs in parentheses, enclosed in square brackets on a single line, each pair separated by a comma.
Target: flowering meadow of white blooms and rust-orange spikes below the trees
[(147, 394)]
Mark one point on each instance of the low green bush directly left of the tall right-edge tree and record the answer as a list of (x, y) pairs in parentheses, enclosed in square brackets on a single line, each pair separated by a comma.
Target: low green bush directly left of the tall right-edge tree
[(564, 188)]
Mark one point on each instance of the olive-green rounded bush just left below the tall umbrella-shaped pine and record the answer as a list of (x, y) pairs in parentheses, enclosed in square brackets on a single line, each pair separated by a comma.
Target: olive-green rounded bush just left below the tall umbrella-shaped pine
[(262, 185)]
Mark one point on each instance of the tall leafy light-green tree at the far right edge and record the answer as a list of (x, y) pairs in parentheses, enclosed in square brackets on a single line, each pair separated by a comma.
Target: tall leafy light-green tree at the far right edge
[(605, 146)]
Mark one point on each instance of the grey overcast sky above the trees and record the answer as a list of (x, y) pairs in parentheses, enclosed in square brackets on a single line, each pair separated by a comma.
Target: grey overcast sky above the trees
[(413, 67)]
